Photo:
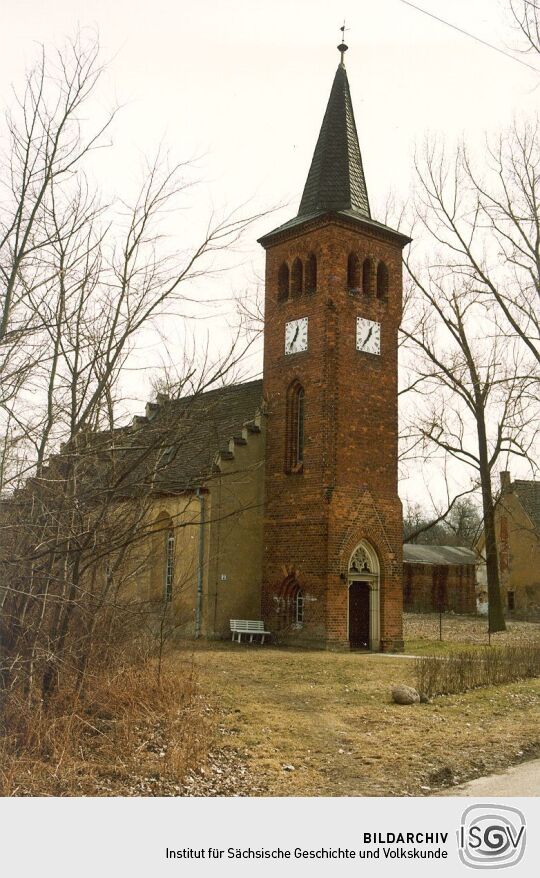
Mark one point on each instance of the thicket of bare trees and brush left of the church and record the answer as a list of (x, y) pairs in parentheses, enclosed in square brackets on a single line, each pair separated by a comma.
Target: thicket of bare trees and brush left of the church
[(81, 282)]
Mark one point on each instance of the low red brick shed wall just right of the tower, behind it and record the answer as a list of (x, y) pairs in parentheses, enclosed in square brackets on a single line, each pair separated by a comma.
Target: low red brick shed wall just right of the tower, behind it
[(421, 583)]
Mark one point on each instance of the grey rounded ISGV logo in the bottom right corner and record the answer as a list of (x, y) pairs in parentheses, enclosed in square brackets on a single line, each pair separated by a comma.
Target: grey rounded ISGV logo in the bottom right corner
[(491, 836)]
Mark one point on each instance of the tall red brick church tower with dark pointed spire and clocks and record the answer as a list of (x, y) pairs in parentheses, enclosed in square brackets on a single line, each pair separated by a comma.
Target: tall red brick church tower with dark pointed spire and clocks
[(332, 564)]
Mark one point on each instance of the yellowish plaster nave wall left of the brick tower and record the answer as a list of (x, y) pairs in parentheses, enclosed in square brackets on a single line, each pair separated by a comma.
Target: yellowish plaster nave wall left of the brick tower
[(232, 550)]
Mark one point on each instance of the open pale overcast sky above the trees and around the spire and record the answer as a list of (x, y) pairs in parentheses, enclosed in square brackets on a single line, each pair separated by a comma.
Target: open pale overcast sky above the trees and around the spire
[(243, 86)]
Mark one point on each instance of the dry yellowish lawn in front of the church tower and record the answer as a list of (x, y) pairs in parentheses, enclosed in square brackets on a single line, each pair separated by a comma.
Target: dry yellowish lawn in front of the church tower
[(321, 723)]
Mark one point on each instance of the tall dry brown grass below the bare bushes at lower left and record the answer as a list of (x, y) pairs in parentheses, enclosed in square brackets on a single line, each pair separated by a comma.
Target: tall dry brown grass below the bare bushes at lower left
[(129, 735)]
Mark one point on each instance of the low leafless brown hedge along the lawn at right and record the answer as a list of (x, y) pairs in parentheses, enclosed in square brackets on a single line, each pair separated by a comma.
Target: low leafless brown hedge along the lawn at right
[(471, 669)]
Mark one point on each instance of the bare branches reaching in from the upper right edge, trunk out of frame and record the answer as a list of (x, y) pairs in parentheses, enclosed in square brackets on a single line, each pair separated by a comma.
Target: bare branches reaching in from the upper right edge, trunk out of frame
[(488, 221)]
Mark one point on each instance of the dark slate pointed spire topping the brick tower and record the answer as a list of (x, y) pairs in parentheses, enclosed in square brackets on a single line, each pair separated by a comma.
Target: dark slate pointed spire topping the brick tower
[(336, 177)]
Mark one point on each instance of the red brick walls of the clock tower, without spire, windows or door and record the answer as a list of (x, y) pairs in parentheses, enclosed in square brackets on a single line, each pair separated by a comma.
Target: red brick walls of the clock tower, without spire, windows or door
[(348, 488)]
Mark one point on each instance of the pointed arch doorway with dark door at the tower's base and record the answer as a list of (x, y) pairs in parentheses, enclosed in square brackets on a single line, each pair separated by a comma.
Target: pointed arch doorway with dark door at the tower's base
[(364, 599)]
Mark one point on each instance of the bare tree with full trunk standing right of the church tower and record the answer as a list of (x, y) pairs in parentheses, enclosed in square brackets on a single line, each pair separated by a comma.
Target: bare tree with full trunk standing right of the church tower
[(473, 373)]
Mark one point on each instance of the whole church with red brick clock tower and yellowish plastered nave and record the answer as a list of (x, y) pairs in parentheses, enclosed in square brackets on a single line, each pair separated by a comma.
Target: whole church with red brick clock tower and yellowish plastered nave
[(282, 503)]
